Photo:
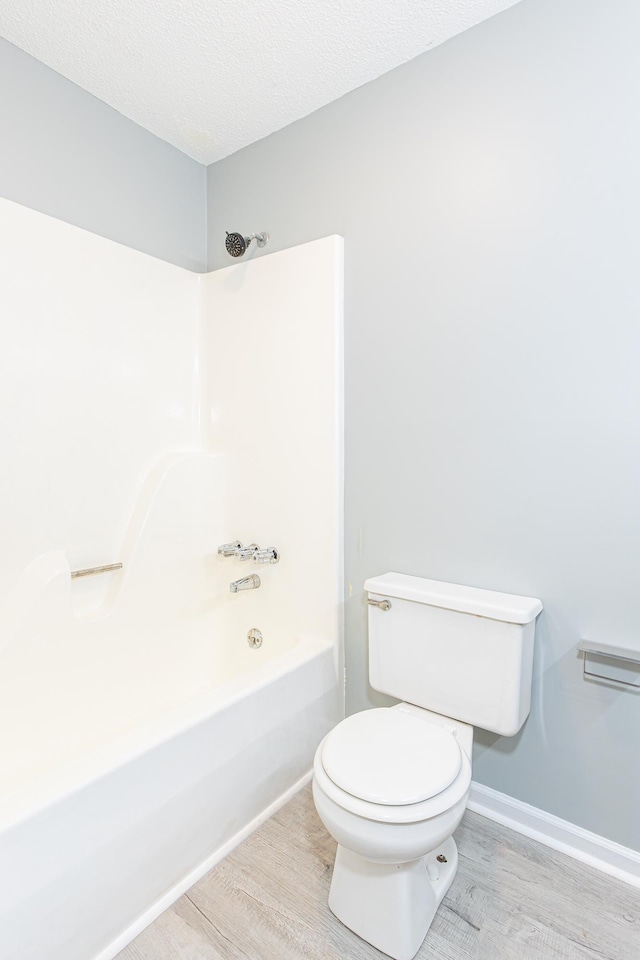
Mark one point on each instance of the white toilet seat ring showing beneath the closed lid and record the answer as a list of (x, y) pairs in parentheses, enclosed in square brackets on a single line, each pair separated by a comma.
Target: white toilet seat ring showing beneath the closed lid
[(393, 813)]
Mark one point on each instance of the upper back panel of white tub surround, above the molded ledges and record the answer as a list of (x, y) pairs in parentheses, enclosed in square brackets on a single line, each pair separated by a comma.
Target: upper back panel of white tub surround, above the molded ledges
[(96, 384)]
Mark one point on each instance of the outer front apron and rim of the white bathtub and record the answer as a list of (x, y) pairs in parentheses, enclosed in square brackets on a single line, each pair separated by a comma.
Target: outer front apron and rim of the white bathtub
[(95, 848)]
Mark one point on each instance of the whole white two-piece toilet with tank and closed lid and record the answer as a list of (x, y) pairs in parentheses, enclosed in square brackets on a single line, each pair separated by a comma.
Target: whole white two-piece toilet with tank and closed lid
[(391, 784)]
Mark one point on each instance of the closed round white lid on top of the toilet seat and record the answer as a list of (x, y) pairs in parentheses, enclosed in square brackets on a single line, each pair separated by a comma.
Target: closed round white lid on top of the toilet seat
[(391, 757)]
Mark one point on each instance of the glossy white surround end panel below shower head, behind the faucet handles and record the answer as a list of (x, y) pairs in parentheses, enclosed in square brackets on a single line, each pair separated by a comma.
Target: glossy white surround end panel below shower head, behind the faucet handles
[(273, 399)]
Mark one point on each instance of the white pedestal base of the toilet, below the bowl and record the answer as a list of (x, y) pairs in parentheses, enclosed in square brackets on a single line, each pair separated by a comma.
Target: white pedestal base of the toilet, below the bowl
[(391, 906)]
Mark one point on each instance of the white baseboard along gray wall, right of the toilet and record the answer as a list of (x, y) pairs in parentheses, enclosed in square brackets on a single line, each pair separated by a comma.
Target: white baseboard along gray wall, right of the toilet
[(598, 852)]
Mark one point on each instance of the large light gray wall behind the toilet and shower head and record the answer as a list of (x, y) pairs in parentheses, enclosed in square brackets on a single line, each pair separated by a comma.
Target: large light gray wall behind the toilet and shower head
[(489, 194)]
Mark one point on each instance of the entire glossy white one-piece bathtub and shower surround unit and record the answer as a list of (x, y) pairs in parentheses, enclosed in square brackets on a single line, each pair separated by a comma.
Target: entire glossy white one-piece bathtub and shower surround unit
[(140, 734)]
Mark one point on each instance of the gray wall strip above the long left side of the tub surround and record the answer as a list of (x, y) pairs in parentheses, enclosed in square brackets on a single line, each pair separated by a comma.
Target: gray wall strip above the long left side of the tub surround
[(69, 155)]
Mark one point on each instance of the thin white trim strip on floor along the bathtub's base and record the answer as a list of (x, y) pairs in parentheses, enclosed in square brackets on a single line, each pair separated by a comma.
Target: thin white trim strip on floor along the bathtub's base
[(171, 895)]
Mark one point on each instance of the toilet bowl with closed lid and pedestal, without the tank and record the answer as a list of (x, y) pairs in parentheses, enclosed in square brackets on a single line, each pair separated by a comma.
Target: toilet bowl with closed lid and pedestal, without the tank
[(387, 880)]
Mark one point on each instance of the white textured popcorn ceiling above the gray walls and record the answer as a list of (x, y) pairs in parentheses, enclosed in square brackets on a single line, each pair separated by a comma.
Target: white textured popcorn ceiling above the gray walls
[(211, 76)]
